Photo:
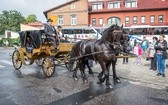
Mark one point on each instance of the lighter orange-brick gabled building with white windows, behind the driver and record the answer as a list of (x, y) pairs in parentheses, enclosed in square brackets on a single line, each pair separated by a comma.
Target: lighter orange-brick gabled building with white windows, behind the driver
[(73, 13)]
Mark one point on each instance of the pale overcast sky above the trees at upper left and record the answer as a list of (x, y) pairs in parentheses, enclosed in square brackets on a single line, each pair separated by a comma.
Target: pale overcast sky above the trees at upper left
[(27, 7)]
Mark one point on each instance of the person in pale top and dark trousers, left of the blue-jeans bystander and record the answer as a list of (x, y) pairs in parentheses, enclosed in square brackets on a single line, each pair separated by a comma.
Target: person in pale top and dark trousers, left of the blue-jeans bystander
[(152, 54)]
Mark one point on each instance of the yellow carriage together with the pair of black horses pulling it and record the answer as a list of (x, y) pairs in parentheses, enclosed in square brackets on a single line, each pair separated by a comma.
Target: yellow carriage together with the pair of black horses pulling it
[(104, 51)]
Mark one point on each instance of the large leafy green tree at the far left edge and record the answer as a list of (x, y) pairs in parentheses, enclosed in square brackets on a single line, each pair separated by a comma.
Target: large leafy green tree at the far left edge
[(10, 20)]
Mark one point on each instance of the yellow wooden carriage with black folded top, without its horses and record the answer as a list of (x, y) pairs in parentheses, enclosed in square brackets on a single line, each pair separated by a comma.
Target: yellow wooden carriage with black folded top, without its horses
[(36, 47)]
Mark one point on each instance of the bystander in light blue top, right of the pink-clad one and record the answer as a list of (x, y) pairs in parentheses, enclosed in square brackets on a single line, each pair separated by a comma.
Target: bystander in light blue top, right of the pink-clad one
[(144, 45)]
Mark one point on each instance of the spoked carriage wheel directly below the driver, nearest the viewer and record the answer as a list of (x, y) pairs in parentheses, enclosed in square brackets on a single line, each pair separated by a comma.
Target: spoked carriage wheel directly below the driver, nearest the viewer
[(48, 67)]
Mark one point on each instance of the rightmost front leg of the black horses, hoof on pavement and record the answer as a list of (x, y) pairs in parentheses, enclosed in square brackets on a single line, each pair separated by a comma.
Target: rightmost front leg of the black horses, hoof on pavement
[(115, 77)]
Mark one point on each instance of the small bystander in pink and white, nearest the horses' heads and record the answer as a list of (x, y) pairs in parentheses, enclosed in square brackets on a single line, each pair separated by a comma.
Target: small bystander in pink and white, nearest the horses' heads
[(138, 51)]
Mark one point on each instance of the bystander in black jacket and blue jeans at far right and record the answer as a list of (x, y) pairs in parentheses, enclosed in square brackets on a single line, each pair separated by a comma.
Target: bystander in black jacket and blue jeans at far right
[(161, 55)]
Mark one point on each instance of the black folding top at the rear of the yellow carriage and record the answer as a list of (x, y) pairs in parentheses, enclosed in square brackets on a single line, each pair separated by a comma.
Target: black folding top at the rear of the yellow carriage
[(34, 35)]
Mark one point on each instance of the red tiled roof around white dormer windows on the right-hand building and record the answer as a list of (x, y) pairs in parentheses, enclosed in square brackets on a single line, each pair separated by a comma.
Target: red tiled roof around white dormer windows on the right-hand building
[(142, 5)]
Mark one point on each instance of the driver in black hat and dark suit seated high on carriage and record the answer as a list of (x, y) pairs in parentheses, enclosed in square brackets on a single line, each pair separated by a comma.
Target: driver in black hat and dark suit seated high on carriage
[(50, 31)]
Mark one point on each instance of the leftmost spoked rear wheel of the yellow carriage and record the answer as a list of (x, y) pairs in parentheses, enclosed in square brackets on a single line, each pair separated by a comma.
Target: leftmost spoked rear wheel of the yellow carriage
[(17, 63)]
